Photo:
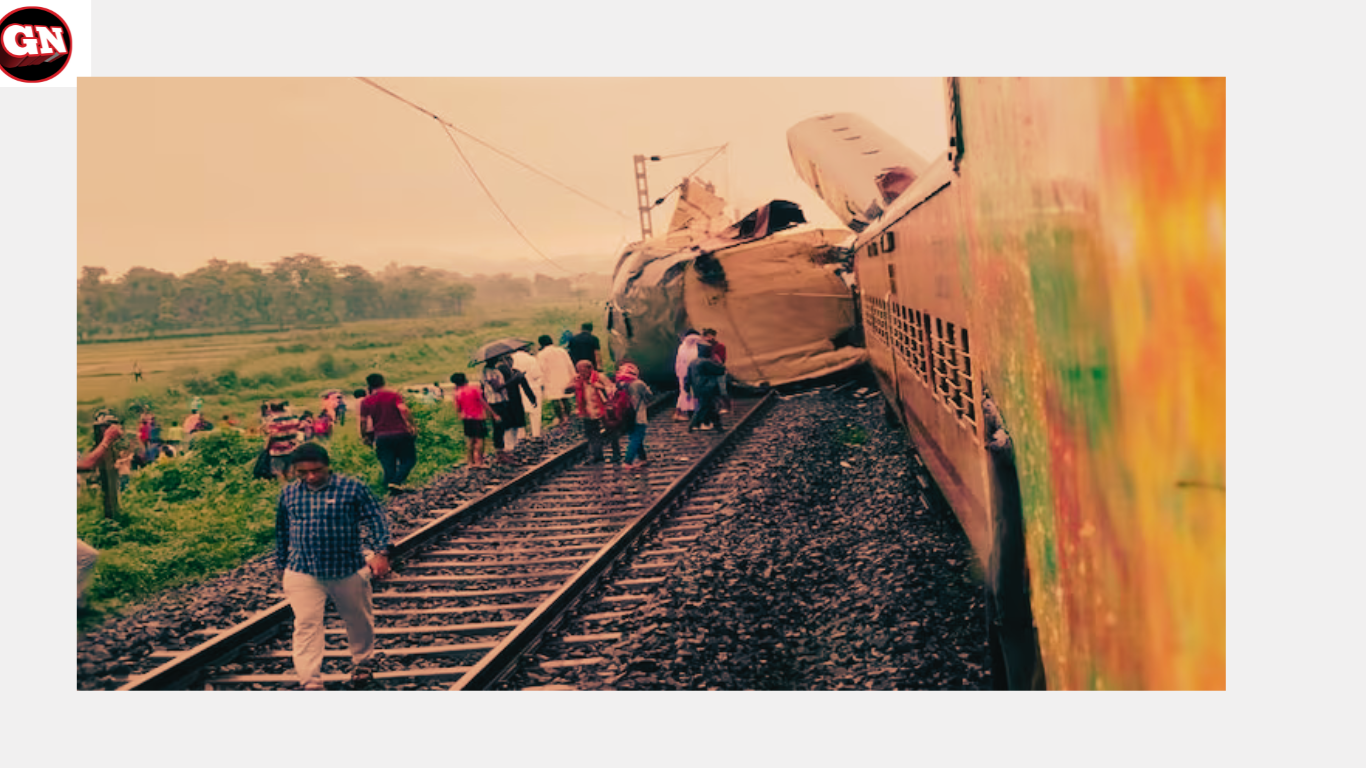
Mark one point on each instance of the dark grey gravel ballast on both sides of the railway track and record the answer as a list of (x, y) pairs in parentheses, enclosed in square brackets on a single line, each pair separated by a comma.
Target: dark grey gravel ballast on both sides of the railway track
[(831, 568)]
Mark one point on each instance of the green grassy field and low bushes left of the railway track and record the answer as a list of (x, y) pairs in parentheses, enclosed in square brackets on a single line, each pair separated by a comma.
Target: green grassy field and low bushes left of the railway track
[(189, 519)]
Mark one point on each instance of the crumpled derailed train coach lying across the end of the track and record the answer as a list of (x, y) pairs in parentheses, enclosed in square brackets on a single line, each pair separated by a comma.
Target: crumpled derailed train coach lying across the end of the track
[(771, 289)]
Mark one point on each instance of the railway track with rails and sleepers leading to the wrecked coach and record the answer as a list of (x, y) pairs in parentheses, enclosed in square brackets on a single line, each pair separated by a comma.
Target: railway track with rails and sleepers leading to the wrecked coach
[(483, 586)]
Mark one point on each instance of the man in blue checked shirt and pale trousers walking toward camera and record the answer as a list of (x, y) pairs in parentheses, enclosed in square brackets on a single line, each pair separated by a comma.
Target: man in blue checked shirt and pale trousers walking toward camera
[(319, 528)]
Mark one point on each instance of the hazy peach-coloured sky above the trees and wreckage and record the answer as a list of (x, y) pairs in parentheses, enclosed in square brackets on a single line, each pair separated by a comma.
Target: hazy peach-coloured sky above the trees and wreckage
[(176, 172)]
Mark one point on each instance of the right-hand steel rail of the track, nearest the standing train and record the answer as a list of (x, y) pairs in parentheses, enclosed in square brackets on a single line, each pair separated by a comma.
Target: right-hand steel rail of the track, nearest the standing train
[(503, 659)]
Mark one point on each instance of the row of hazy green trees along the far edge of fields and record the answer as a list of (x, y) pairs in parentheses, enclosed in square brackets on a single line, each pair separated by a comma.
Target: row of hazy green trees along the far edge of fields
[(296, 290)]
